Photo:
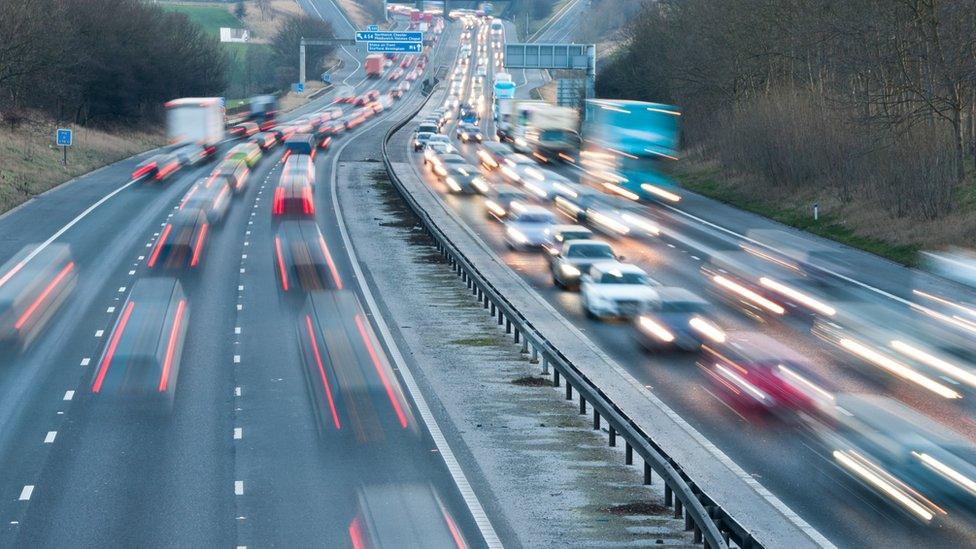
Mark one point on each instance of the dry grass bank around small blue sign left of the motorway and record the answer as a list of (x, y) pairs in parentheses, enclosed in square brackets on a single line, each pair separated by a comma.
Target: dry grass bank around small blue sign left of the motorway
[(30, 163)]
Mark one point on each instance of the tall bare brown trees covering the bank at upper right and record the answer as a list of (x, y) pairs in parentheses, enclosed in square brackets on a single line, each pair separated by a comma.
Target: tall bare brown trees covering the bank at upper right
[(871, 100)]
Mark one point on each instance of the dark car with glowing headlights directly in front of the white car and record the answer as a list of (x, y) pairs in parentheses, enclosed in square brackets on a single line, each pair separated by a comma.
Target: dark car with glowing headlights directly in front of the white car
[(679, 319)]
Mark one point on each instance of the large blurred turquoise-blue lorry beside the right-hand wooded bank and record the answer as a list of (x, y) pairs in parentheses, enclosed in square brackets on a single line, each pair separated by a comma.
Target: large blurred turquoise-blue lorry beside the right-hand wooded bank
[(629, 146)]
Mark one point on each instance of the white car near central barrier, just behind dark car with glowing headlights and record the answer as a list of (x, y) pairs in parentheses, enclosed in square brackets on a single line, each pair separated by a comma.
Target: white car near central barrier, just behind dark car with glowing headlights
[(617, 290)]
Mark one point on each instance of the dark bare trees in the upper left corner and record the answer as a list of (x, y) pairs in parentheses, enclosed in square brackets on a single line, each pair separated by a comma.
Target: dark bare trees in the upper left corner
[(102, 61)]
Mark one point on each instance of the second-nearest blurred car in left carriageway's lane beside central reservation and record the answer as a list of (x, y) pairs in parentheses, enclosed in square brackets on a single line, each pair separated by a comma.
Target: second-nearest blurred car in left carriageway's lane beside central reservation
[(356, 394)]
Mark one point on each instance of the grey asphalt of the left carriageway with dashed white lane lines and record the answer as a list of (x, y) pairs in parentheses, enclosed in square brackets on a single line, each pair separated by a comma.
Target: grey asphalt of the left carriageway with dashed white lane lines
[(246, 456)]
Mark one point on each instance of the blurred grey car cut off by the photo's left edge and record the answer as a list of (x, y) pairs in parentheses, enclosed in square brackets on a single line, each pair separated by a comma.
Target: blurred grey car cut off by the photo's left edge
[(34, 284)]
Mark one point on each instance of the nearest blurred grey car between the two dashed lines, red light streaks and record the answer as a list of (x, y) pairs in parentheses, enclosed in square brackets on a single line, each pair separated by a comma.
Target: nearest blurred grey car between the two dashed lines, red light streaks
[(142, 358)]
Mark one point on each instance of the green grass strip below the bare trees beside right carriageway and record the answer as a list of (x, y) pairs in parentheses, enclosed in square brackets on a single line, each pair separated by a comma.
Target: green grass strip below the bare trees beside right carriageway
[(708, 182)]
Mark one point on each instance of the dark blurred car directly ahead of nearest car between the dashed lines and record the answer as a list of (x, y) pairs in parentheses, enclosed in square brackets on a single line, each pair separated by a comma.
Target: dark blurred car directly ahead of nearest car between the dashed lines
[(181, 242)]
